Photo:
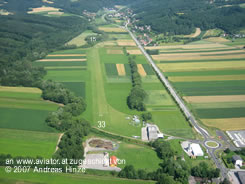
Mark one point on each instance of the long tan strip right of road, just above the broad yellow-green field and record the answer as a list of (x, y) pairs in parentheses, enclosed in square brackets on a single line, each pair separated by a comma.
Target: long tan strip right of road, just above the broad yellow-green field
[(190, 56)]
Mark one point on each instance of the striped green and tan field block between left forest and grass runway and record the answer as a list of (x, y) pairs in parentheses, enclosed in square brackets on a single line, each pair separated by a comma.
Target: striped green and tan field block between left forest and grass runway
[(68, 67)]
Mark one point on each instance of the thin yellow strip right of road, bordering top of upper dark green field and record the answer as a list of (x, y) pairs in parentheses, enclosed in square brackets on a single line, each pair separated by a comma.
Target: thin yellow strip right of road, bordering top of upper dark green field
[(207, 78)]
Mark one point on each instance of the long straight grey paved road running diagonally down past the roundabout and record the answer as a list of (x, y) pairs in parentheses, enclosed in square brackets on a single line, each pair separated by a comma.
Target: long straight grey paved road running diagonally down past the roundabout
[(184, 109)]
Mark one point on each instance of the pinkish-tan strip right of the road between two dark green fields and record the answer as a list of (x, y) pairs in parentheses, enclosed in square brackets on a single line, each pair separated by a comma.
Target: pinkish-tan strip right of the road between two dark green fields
[(221, 98)]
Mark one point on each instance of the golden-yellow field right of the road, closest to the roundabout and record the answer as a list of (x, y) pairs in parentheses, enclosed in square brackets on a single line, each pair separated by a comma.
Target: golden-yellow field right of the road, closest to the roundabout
[(226, 124)]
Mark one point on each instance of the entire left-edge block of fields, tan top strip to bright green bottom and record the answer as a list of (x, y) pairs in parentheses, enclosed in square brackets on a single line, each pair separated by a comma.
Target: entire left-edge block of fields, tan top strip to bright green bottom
[(23, 131)]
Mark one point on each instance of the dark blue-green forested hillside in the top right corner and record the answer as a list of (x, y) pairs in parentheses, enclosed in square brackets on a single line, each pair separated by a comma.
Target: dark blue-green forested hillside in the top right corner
[(183, 16)]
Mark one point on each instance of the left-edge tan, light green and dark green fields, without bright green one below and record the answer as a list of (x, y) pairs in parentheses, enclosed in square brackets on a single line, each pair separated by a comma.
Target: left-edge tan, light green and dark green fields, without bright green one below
[(28, 108)]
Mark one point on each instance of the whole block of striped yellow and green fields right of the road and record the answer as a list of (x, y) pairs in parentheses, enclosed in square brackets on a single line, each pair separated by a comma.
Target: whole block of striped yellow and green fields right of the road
[(210, 77)]
